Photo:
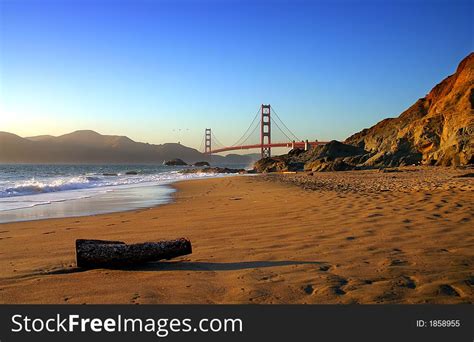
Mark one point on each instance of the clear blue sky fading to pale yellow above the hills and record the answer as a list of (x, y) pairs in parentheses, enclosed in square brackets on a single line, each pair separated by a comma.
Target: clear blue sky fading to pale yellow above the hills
[(147, 69)]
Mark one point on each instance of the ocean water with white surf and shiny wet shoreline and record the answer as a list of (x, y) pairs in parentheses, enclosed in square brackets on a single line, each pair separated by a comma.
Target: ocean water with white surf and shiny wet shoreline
[(31, 192)]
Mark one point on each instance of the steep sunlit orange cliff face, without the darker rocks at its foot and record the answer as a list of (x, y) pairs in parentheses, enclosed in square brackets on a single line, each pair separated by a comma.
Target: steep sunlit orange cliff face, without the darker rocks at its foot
[(437, 130)]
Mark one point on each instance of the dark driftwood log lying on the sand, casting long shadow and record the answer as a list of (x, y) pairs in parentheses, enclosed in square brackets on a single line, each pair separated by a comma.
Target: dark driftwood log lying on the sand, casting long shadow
[(100, 253)]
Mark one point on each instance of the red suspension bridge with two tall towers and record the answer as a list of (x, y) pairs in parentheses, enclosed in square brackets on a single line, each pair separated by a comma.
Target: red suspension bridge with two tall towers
[(269, 120)]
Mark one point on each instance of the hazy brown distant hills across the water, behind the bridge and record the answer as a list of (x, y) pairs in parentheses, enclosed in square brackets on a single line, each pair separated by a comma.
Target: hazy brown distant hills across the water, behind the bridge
[(89, 147)]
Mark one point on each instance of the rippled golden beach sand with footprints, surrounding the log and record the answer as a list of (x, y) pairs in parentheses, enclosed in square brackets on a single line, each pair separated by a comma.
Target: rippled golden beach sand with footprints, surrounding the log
[(347, 237)]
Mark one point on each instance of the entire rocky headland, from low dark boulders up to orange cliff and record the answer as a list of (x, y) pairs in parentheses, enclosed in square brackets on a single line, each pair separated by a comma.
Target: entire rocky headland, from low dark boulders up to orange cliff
[(437, 130)]
